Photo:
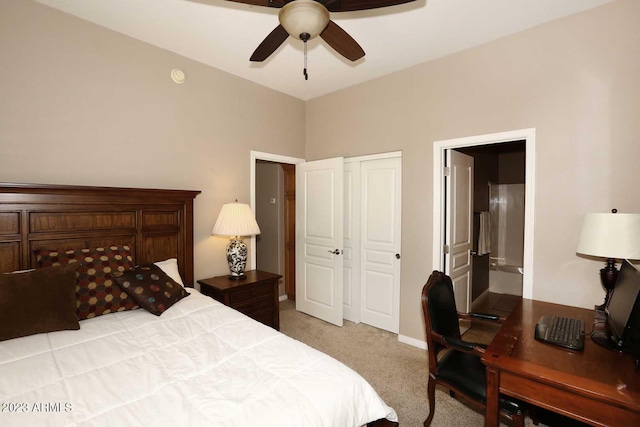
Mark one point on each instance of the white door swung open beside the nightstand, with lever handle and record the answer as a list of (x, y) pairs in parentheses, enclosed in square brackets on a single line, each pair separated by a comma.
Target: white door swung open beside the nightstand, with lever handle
[(319, 239)]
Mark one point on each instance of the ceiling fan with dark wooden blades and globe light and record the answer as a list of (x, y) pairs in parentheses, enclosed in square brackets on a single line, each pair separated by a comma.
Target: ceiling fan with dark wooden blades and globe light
[(307, 19)]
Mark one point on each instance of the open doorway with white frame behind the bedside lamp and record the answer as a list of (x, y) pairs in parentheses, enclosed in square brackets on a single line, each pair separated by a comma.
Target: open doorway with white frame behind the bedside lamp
[(273, 203)]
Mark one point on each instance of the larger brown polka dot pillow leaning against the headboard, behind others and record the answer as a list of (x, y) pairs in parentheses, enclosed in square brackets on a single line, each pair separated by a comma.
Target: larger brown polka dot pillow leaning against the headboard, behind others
[(96, 292)]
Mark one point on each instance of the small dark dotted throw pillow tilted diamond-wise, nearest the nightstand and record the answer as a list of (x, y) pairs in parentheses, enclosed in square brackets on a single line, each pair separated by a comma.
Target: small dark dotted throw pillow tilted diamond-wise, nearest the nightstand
[(151, 288)]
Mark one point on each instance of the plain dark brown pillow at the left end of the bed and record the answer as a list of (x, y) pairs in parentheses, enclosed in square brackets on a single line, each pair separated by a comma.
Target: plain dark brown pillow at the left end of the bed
[(37, 301)]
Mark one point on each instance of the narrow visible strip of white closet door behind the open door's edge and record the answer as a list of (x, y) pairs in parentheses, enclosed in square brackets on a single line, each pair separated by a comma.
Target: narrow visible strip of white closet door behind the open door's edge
[(351, 284)]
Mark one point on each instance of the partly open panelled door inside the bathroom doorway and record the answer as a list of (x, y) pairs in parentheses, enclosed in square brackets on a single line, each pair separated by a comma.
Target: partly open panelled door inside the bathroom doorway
[(459, 226)]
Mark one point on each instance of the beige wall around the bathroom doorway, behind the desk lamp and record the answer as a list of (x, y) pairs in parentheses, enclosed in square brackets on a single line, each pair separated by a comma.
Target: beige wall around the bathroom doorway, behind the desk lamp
[(574, 80)]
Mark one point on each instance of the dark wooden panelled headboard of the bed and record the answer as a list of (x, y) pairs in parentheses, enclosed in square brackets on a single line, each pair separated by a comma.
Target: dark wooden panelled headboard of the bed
[(158, 224)]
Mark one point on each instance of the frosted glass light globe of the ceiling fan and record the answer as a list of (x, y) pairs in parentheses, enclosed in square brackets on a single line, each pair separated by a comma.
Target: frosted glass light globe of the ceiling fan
[(304, 17)]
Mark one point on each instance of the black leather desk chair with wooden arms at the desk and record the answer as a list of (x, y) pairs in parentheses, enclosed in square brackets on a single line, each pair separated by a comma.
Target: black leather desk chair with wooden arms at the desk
[(459, 369)]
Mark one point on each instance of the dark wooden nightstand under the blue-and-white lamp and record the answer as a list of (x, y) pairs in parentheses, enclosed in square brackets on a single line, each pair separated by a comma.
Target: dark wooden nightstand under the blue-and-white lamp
[(256, 295)]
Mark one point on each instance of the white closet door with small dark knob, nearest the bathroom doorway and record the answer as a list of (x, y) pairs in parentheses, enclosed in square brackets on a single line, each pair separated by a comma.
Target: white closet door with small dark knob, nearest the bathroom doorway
[(381, 201)]
